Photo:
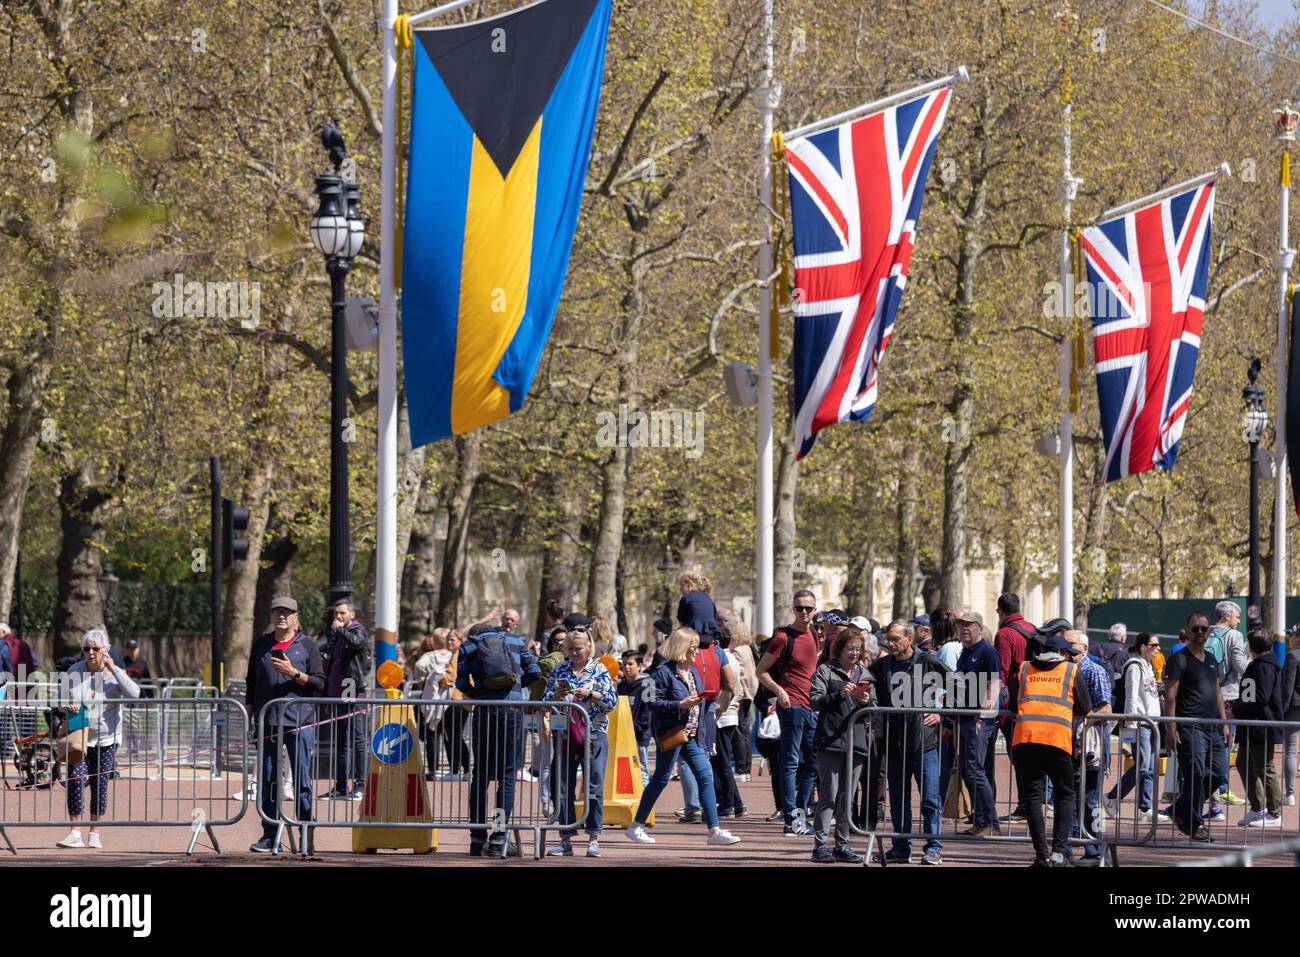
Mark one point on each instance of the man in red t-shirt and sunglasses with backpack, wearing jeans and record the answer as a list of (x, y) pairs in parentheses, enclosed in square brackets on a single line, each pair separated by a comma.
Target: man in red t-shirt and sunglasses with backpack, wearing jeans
[(787, 672)]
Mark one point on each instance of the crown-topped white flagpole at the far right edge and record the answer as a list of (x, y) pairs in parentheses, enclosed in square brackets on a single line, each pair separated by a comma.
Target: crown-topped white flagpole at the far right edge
[(1286, 125)]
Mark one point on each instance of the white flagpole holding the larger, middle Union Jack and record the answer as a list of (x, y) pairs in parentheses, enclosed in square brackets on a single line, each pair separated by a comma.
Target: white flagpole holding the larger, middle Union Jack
[(765, 518)]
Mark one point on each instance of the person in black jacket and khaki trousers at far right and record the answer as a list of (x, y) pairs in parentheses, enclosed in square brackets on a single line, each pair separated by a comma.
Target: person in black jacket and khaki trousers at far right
[(1262, 700)]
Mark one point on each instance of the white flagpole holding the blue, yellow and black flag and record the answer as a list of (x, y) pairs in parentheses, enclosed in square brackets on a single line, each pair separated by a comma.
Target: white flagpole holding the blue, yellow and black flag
[(387, 506)]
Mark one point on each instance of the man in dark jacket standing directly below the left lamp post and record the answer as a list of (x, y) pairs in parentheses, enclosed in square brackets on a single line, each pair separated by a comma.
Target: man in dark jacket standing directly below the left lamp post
[(346, 659)]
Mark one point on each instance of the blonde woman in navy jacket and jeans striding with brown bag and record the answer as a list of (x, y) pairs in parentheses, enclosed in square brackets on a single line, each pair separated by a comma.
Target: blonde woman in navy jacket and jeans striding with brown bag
[(675, 721)]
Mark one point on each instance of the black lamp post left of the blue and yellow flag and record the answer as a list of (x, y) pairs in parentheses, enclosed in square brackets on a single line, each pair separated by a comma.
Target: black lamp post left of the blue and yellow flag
[(339, 233)]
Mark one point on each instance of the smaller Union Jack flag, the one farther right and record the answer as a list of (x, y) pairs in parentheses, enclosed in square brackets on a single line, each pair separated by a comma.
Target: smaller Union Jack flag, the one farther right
[(1147, 275)]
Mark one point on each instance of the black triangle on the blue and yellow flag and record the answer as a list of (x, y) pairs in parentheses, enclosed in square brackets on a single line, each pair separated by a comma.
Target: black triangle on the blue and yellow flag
[(502, 71)]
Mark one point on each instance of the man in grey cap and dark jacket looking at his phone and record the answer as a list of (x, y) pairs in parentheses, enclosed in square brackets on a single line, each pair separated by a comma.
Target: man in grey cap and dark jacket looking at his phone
[(284, 664)]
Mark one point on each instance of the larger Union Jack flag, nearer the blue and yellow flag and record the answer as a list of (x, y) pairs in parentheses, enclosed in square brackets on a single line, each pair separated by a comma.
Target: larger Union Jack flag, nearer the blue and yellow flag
[(856, 194)]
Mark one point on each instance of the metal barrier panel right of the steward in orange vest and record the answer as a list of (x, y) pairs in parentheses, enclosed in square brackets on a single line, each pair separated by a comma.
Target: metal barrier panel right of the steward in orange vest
[(1194, 778)]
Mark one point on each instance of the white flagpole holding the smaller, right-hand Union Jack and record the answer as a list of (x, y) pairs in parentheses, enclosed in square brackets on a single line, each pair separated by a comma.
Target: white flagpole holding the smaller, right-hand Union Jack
[(1065, 508)]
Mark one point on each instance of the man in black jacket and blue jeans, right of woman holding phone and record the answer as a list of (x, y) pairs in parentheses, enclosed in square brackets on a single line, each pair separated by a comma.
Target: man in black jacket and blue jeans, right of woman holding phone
[(911, 678)]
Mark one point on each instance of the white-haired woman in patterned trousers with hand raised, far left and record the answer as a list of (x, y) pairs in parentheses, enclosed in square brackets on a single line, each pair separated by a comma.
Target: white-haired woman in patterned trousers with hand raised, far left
[(96, 685)]
